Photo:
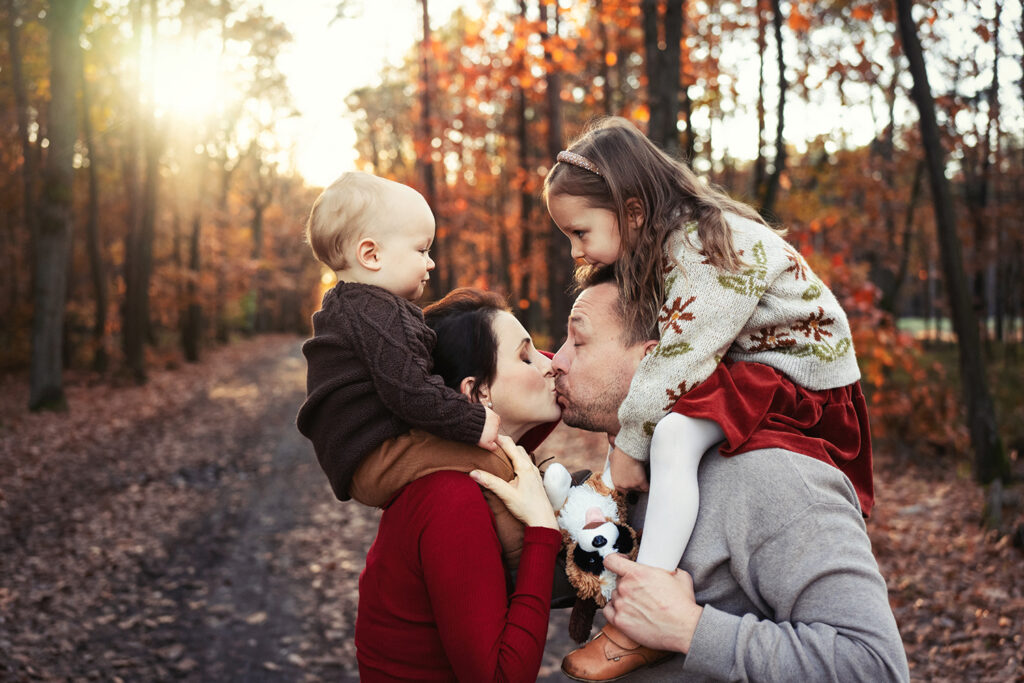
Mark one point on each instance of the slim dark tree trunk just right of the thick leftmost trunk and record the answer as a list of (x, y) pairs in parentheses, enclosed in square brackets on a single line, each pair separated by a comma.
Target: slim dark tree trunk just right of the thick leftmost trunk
[(93, 237)]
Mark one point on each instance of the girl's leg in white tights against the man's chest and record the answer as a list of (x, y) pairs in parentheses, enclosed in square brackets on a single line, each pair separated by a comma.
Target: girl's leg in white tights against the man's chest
[(676, 450)]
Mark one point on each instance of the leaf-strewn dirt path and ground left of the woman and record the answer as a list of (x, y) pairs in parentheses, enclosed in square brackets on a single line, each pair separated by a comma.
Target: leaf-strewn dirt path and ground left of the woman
[(190, 534)]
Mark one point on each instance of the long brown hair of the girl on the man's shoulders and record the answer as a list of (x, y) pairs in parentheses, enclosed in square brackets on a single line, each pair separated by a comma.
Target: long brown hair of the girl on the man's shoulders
[(642, 183)]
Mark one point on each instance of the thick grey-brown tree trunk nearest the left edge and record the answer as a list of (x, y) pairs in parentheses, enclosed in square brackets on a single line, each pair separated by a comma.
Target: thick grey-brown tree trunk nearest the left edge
[(54, 242)]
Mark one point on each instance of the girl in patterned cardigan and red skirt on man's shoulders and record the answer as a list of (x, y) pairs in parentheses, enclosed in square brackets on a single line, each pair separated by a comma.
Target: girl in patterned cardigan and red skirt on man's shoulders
[(754, 349)]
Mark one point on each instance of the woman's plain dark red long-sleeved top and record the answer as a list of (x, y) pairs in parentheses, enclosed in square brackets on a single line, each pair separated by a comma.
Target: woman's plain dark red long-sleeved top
[(434, 605)]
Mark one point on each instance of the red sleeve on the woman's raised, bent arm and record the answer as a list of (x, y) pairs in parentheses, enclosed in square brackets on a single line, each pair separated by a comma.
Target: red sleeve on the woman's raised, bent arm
[(487, 636)]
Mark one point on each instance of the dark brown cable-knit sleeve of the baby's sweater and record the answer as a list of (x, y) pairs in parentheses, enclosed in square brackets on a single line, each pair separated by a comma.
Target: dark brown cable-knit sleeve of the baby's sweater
[(396, 346)]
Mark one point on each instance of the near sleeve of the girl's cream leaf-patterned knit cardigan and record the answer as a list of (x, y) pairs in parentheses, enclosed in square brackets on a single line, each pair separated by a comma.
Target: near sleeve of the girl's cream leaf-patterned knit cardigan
[(704, 313)]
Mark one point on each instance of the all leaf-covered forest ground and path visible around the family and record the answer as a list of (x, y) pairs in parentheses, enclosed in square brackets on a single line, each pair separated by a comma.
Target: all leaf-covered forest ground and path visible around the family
[(184, 531)]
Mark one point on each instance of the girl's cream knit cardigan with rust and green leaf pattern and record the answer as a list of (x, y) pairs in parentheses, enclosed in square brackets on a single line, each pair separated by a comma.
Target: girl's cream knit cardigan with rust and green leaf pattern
[(775, 312)]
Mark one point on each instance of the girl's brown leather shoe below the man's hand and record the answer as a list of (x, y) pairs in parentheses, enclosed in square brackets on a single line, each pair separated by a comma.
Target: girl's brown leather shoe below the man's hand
[(610, 656)]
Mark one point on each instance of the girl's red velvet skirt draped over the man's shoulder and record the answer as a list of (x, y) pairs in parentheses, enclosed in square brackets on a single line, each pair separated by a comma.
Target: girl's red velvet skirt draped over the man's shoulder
[(760, 408)]
